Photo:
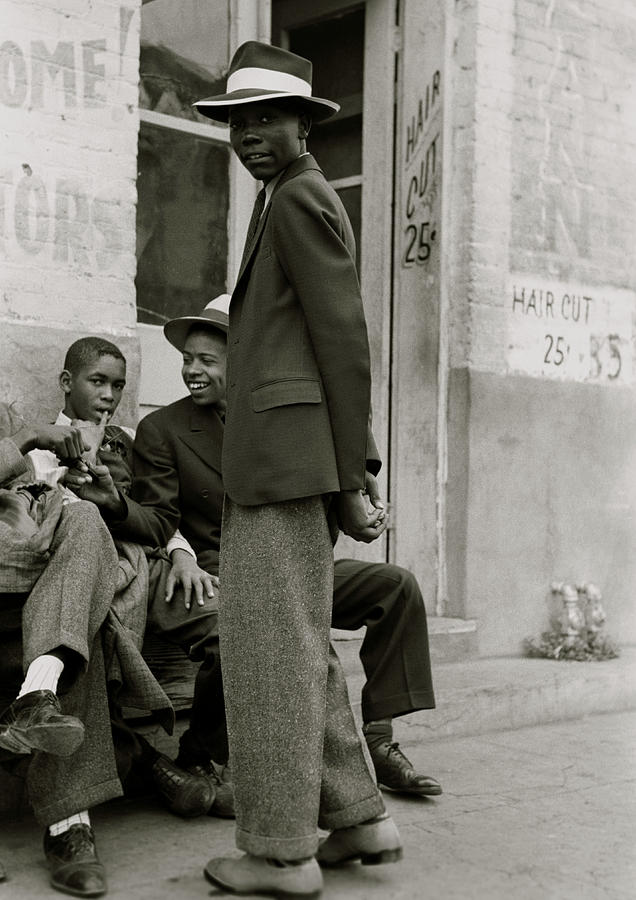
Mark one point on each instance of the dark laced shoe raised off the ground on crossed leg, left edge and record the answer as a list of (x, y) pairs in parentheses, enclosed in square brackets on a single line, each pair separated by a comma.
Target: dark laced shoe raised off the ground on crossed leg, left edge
[(35, 722)]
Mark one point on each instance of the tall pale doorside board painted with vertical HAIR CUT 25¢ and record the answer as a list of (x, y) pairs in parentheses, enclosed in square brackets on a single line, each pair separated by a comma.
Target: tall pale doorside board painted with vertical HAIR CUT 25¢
[(414, 540)]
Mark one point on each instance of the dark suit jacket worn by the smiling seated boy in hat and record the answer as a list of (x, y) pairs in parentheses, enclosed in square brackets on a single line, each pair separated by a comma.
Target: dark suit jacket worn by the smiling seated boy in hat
[(177, 483)]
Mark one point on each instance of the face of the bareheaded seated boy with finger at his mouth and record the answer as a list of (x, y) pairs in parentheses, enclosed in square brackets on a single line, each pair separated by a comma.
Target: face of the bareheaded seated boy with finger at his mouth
[(94, 389)]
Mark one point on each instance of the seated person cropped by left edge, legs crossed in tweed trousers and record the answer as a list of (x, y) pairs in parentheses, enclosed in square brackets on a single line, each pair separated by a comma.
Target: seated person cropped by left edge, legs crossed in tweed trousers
[(57, 577)]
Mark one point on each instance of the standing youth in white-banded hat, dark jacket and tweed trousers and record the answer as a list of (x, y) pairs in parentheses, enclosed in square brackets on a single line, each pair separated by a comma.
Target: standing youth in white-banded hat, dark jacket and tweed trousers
[(296, 449)]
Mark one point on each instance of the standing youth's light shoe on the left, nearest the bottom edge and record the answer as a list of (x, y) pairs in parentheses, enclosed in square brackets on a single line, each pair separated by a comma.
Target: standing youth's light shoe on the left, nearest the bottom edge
[(256, 875)]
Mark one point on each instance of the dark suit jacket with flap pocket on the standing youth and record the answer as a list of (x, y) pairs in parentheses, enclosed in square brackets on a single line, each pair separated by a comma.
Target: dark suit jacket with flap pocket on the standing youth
[(298, 358)]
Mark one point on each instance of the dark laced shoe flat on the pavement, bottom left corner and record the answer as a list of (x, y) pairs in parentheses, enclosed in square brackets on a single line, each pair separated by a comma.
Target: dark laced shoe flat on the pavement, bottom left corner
[(73, 863)]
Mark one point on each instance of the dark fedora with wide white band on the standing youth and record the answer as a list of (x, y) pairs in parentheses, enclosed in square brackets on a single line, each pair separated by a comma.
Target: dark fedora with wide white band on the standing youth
[(260, 72)]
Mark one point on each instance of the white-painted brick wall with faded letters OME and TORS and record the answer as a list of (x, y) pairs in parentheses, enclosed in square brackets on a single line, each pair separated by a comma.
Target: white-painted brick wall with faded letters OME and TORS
[(68, 145)]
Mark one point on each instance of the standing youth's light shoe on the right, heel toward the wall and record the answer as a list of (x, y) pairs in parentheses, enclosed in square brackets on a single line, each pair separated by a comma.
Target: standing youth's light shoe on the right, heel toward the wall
[(373, 842)]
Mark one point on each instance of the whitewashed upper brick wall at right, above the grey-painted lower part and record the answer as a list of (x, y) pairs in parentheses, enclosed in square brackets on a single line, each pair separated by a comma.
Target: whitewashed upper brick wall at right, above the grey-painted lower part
[(551, 176)]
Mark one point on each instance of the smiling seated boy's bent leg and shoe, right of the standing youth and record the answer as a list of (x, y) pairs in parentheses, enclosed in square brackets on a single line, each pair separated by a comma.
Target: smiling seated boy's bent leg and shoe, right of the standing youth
[(395, 655)]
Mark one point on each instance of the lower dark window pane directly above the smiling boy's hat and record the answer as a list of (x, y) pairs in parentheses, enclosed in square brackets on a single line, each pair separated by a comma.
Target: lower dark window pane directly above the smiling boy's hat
[(182, 207)]
